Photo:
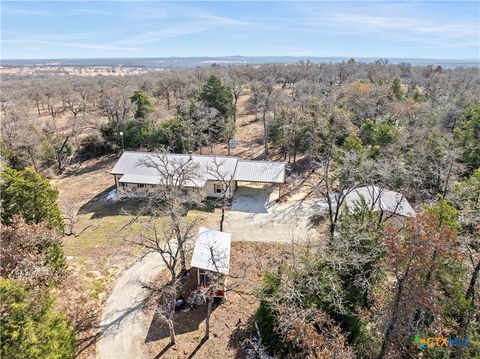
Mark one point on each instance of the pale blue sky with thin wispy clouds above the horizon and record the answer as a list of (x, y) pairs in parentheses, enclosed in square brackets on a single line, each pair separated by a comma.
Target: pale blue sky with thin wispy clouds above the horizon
[(80, 29)]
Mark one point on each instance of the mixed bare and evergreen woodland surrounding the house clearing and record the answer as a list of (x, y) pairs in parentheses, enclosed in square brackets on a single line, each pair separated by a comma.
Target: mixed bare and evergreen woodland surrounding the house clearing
[(370, 288)]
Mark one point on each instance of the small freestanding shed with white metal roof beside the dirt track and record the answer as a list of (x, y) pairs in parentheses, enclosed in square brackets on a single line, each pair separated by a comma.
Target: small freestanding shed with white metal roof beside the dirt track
[(212, 255)]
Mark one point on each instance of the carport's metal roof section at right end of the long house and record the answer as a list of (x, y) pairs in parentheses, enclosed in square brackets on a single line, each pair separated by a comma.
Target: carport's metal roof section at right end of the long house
[(260, 171)]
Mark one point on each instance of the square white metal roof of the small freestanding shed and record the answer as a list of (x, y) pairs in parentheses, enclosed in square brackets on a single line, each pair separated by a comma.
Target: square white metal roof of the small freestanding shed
[(212, 251)]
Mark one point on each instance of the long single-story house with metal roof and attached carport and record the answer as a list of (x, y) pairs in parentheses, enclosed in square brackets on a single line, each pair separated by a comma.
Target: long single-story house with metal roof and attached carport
[(213, 175)]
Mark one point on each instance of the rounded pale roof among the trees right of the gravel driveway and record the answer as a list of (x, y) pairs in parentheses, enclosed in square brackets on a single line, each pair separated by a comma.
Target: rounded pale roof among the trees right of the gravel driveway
[(381, 200)]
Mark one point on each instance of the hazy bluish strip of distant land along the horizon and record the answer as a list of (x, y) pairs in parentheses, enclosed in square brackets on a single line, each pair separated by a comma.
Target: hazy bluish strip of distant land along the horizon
[(185, 62)]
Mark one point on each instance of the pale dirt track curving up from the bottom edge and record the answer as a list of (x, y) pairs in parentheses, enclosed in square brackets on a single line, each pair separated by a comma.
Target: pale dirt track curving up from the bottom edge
[(125, 324)]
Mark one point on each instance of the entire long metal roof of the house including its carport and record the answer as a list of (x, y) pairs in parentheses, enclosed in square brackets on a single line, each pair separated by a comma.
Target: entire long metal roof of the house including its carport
[(141, 167)]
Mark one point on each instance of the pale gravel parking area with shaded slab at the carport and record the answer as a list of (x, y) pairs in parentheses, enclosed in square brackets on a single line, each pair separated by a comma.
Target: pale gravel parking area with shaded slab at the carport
[(255, 216)]
